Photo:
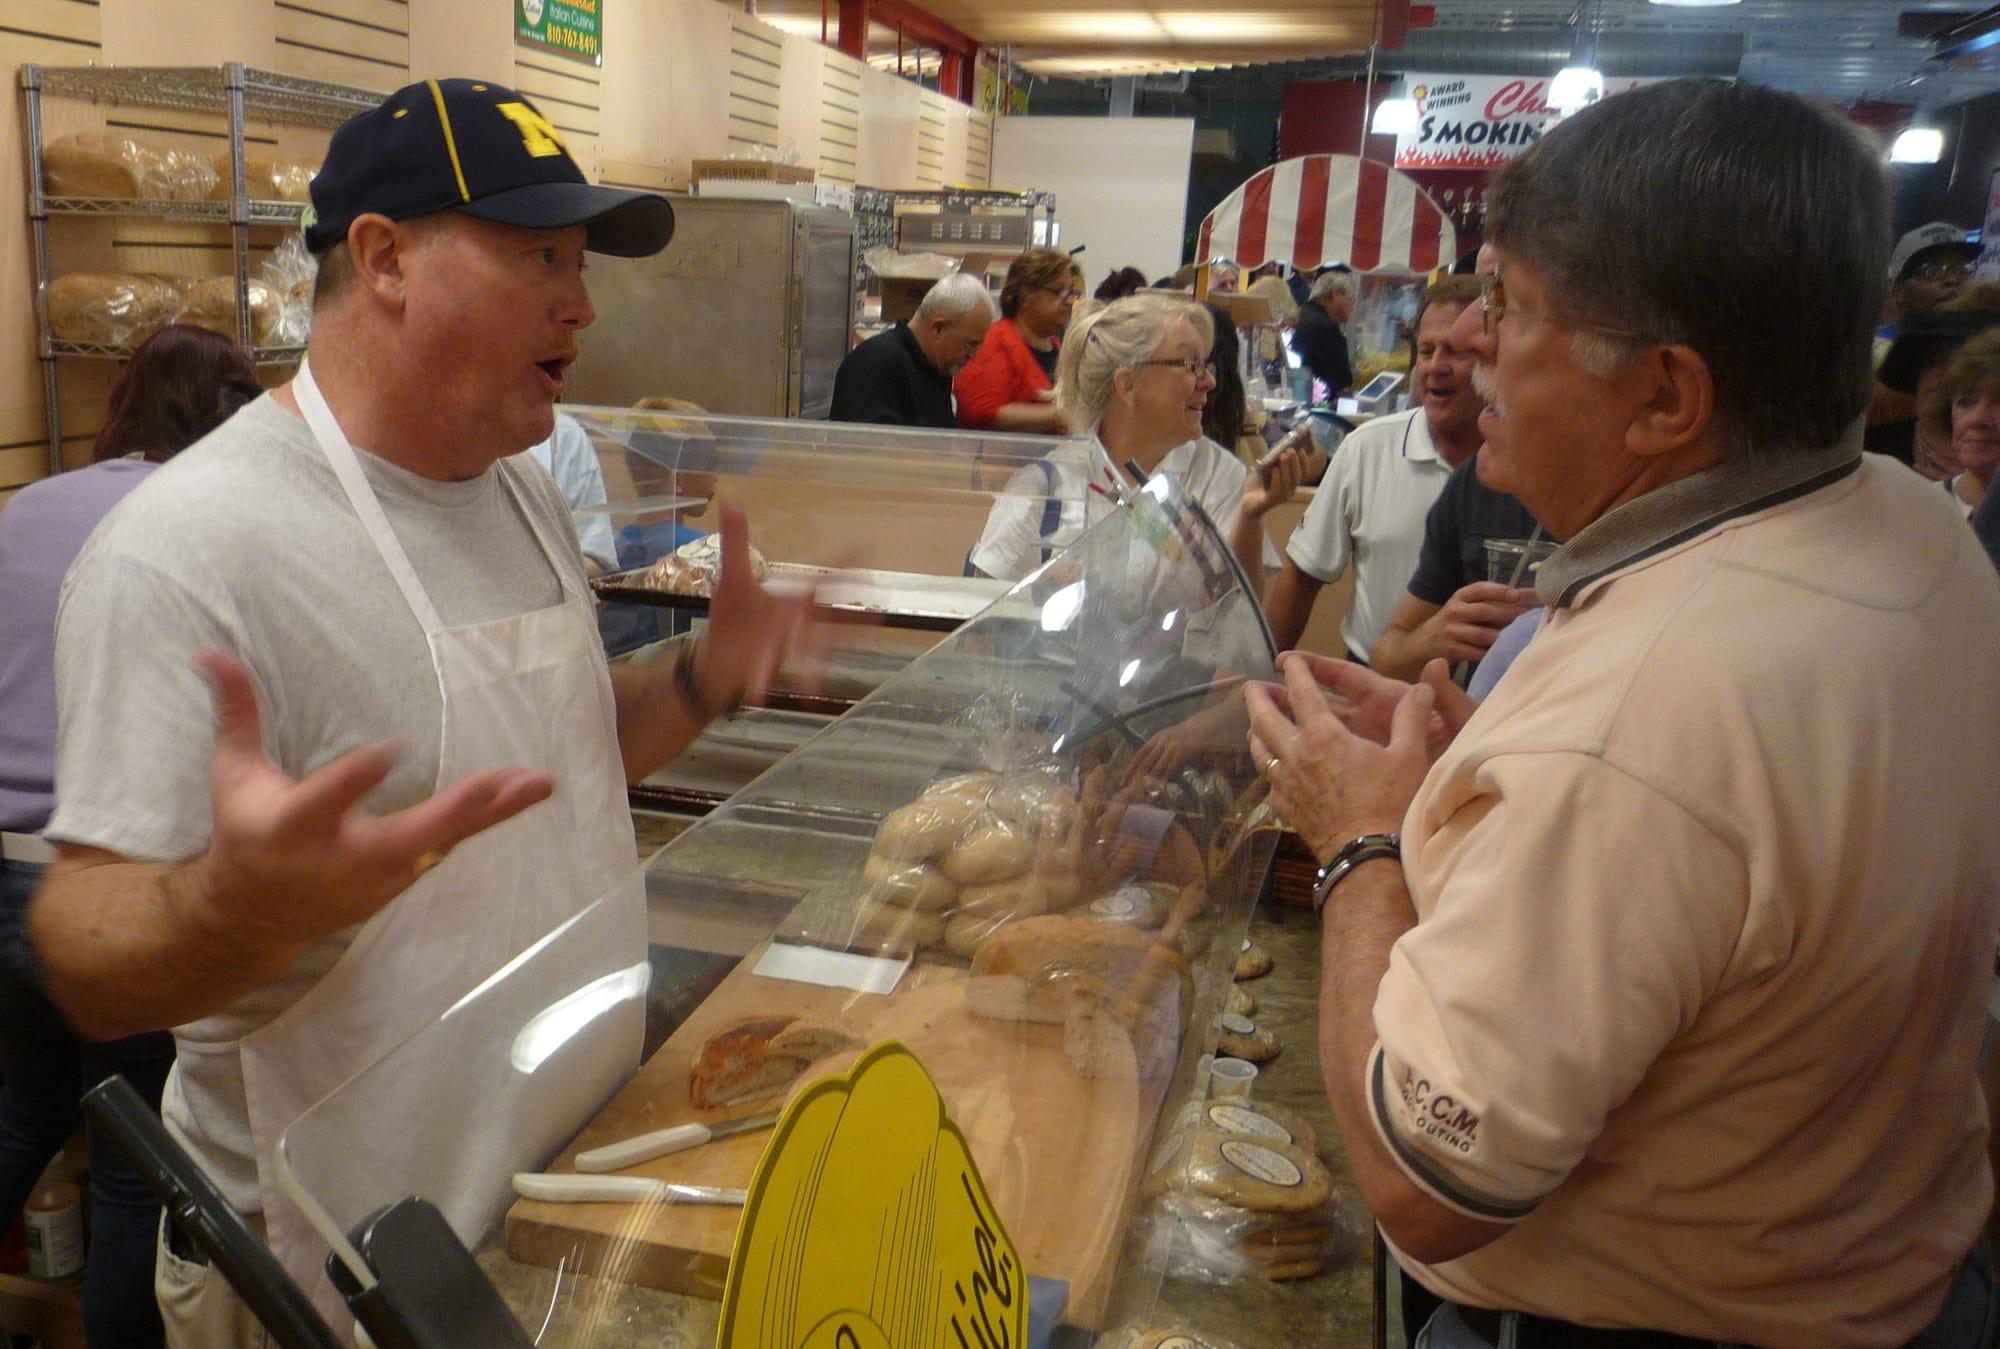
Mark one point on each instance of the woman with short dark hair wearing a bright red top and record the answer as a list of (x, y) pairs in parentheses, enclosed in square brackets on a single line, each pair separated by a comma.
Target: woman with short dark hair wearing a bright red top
[(1009, 385)]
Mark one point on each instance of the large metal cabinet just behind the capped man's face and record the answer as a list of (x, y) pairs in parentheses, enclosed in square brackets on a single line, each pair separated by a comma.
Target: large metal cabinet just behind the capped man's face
[(749, 311)]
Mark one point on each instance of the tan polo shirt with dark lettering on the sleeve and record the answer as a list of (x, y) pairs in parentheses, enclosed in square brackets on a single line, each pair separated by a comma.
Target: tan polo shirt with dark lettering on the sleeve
[(1707, 902)]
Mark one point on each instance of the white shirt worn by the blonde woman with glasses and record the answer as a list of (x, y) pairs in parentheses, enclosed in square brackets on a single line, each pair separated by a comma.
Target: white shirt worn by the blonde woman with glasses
[(1013, 543)]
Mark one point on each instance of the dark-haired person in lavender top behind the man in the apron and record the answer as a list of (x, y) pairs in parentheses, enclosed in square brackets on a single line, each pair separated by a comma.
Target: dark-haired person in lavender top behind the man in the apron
[(181, 385)]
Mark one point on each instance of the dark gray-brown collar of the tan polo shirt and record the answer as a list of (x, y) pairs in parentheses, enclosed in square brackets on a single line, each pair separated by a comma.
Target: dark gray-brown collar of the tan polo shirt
[(1671, 515)]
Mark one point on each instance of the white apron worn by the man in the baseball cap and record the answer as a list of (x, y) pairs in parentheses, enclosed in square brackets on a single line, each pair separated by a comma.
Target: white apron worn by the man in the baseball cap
[(527, 692)]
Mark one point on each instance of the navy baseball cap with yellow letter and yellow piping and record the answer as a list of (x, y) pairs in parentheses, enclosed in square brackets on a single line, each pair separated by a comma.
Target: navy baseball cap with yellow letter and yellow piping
[(481, 149)]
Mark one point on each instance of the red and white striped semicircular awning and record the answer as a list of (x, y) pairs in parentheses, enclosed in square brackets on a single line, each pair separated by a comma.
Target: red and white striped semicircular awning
[(1331, 209)]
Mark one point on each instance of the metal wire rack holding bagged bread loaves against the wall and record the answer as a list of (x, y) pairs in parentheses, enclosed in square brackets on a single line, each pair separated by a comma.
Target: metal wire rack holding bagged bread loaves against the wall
[(135, 171)]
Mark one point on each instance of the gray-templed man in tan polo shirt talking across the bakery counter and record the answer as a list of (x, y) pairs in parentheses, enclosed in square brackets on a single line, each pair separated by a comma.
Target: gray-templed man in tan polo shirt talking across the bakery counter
[(1663, 1012)]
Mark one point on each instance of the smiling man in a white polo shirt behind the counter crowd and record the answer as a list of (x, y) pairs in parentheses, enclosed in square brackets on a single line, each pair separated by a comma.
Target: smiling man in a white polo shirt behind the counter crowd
[(1373, 501)]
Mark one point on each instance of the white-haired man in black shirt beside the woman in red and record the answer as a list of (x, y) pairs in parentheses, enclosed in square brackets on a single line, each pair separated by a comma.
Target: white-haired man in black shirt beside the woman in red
[(905, 377)]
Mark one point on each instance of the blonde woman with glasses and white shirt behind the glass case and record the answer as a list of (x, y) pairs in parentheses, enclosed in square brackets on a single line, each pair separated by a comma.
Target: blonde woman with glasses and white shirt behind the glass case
[(1133, 381)]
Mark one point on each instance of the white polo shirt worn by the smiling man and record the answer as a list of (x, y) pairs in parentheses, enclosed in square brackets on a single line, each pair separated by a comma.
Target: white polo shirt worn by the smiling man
[(1371, 509)]
